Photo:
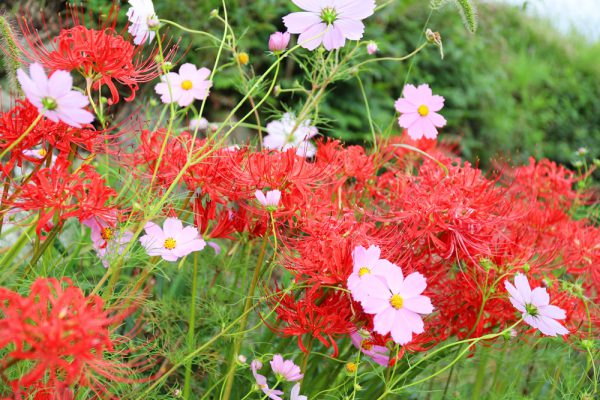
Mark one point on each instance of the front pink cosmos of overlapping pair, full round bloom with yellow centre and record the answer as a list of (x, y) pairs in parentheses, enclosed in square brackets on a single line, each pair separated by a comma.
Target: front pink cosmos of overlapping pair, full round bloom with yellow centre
[(397, 304)]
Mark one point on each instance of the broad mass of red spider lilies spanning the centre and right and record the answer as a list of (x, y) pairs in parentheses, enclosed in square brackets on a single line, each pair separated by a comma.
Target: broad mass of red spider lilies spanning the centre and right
[(465, 231)]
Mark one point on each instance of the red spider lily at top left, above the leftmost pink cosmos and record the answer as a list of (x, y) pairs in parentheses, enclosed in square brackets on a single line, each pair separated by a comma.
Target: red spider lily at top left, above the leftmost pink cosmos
[(101, 56)]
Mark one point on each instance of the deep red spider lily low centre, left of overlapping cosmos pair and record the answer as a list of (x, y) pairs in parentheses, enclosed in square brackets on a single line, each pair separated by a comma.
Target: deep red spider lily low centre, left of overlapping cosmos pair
[(322, 315)]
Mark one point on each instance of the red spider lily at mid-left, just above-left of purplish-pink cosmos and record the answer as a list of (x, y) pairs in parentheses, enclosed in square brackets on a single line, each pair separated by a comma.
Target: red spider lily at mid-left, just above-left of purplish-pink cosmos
[(59, 195)]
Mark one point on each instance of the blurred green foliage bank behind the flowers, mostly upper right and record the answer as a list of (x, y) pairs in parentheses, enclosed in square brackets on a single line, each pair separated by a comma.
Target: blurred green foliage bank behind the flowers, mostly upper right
[(516, 88)]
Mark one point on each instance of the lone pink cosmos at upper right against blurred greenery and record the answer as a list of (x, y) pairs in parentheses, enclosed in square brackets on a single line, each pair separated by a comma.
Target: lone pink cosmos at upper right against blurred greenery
[(419, 107)]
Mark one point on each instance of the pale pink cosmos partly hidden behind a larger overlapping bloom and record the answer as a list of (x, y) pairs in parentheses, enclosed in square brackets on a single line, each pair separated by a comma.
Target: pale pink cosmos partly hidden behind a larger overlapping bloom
[(367, 265)]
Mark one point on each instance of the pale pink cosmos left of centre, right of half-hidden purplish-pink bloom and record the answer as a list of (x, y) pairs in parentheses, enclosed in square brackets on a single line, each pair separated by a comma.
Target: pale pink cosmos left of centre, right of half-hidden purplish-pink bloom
[(173, 241)]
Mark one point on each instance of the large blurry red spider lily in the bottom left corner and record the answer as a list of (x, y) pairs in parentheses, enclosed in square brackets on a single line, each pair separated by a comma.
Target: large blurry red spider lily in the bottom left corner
[(61, 337)]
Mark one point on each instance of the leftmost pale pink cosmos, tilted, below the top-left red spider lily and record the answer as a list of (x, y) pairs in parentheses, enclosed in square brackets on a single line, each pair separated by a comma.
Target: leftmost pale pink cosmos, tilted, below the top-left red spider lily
[(53, 97)]
